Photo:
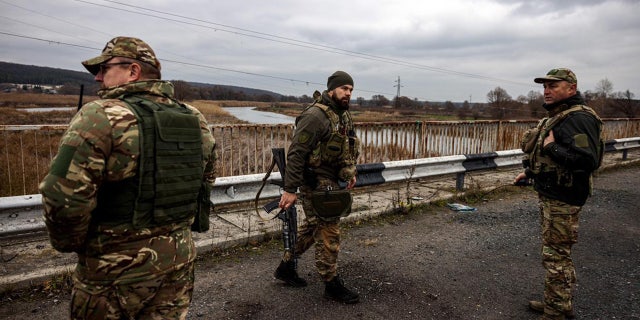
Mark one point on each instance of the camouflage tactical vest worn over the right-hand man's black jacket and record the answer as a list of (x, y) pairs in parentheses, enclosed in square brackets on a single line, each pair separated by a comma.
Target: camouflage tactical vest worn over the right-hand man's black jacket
[(540, 162)]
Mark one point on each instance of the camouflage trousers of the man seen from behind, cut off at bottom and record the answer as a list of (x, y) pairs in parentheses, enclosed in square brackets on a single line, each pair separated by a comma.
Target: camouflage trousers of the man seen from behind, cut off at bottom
[(165, 297)]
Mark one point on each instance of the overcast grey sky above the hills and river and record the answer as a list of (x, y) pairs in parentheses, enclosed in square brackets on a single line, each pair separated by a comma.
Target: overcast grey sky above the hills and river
[(440, 50)]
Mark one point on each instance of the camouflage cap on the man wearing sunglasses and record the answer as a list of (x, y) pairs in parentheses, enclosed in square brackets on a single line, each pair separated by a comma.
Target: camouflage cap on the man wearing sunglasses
[(126, 47)]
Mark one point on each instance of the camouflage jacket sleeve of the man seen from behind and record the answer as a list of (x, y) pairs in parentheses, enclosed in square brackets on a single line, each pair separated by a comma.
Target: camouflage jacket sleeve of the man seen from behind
[(69, 191)]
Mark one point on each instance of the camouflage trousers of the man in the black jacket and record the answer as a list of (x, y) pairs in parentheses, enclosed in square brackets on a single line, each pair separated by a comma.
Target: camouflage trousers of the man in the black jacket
[(559, 233)]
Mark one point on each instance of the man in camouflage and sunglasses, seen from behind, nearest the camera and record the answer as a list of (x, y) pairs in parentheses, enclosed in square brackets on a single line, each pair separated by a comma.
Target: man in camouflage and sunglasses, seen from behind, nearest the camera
[(122, 191)]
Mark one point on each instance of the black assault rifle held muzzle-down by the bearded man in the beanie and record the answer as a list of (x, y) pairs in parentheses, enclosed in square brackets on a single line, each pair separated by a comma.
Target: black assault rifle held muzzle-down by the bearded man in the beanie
[(289, 216)]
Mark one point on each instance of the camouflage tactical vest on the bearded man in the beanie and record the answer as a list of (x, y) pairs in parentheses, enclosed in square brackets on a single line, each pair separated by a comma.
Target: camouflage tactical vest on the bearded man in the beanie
[(341, 149)]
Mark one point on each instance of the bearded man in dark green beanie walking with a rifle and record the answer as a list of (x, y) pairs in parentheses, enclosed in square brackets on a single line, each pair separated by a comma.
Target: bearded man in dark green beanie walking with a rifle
[(323, 152)]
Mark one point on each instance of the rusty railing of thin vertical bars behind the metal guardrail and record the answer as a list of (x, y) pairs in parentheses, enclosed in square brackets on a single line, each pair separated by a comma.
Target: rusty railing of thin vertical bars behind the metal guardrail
[(26, 151)]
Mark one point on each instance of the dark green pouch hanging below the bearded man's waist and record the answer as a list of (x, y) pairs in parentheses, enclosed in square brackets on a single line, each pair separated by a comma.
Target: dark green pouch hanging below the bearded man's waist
[(330, 205)]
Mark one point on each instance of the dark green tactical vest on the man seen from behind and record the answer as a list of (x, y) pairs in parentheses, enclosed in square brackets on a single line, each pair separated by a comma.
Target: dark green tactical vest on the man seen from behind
[(170, 170)]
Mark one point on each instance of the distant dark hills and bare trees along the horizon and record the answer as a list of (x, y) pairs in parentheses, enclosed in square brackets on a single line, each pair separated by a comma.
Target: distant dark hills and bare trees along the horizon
[(499, 104)]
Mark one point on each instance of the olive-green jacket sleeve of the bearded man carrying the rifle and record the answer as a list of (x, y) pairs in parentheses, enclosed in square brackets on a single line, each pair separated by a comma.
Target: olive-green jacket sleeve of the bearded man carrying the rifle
[(311, 126)]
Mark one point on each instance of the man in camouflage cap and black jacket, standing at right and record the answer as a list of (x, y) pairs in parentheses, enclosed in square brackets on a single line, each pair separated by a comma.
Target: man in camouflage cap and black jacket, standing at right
[(562, 153)]
